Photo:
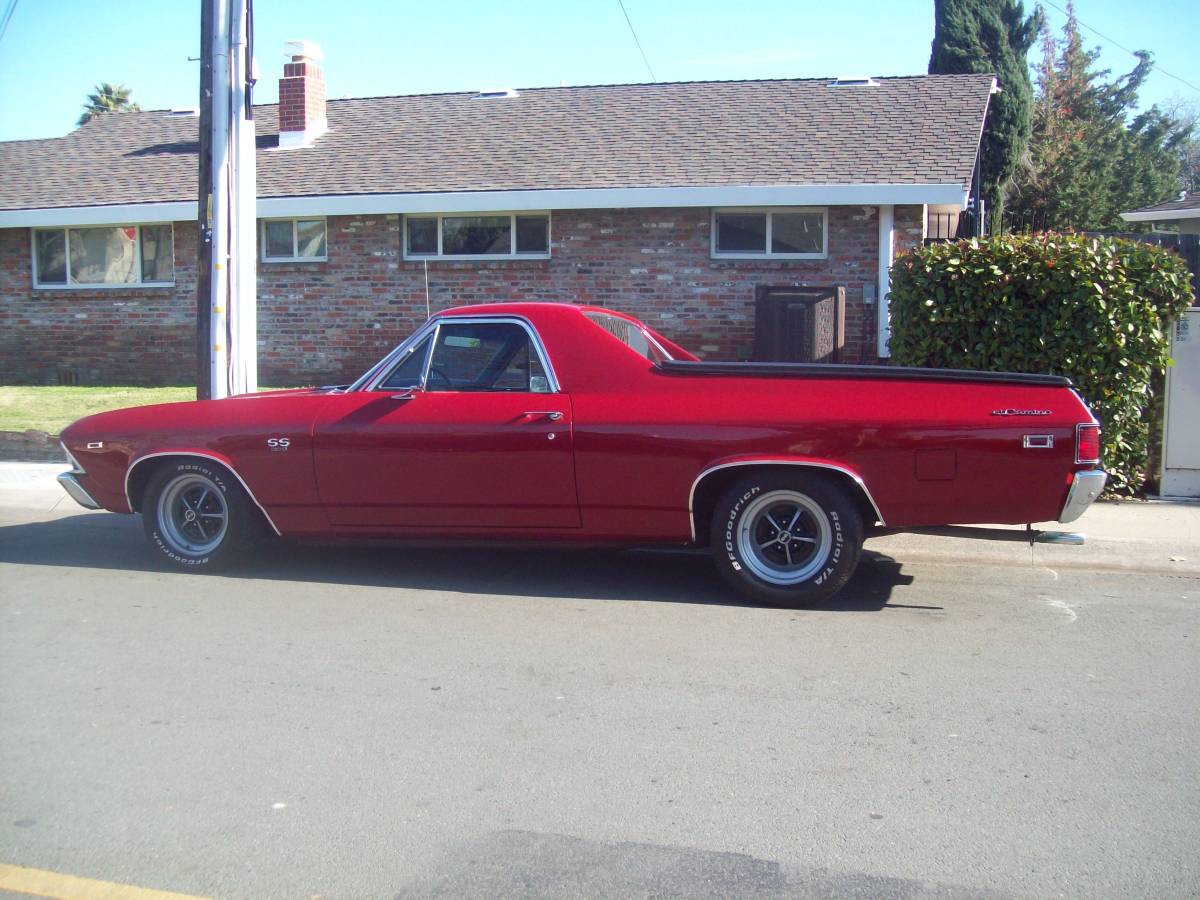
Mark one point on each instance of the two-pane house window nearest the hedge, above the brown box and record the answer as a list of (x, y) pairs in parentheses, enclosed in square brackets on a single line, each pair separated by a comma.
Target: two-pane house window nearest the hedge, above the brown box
[(783, 233)]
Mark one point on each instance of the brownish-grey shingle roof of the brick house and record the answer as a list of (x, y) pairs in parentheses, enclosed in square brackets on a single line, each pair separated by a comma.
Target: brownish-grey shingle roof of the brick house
[(911, 130)]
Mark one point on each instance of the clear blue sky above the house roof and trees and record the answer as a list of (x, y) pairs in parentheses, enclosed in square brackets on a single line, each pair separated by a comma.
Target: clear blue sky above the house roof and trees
[(56, 51)]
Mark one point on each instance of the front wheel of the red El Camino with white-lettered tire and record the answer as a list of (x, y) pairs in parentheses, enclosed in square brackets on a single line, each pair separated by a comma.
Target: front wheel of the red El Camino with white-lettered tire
[(197, 517)]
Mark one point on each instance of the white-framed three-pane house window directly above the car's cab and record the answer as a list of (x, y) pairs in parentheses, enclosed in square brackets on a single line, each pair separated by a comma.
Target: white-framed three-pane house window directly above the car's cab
[(496, 236)]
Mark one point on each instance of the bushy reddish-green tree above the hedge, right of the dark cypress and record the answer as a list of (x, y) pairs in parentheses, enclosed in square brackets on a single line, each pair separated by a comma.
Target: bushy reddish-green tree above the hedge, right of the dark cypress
[(1091, 155)]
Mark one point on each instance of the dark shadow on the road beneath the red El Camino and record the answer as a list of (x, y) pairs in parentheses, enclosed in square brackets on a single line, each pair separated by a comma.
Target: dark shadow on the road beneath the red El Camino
[(116, 543)]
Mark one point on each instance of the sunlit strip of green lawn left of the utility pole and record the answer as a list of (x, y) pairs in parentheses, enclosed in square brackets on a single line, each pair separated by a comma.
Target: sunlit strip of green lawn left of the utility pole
[(51, 410)]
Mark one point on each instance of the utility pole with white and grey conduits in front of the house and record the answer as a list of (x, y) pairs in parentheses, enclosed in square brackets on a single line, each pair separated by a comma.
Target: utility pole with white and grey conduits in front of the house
[(227, 201)]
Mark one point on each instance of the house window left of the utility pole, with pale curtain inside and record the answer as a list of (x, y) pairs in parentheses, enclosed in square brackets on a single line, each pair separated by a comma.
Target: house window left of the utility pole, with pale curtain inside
[(105, 256)]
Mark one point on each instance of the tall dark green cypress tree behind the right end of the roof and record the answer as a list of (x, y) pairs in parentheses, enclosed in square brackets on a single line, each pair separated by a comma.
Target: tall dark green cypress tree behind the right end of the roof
[(992, 37)]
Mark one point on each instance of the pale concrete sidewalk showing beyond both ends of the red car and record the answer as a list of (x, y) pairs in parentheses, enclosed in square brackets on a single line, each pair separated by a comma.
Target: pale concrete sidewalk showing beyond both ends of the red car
[(1153, 537)]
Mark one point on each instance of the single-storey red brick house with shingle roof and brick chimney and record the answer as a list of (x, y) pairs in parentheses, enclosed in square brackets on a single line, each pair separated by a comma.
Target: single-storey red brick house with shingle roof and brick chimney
[(679, 203)]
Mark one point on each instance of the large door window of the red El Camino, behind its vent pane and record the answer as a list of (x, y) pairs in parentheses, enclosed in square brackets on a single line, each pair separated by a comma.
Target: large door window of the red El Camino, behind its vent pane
[(485, 357)]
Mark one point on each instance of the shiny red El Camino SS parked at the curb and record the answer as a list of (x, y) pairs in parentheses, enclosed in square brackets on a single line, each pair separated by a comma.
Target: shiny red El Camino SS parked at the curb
[(557, 423)]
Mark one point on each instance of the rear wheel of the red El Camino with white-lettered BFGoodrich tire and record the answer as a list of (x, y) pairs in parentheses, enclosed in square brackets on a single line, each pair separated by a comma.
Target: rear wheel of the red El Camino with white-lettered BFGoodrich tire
[(787, 539)]
